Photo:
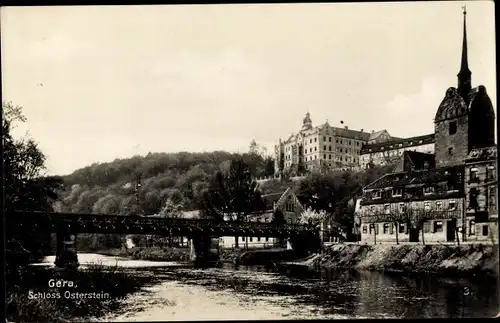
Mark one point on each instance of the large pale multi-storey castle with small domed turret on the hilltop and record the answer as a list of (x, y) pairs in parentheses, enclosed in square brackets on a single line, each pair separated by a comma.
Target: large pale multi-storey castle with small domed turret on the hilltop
[(322, 148)]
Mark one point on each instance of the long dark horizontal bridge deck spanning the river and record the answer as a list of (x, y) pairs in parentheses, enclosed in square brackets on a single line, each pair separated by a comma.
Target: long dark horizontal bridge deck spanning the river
[(105, 223)]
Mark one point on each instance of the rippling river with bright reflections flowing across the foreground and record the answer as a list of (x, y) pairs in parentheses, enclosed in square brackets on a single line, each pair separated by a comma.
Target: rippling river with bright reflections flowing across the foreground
[(254, 293)]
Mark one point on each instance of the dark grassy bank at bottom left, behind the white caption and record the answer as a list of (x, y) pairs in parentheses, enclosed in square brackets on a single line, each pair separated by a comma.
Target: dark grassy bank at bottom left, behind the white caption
[(31, 299)]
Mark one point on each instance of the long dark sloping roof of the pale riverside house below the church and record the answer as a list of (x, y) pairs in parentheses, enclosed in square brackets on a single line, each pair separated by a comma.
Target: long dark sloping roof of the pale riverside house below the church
[(401, 179)]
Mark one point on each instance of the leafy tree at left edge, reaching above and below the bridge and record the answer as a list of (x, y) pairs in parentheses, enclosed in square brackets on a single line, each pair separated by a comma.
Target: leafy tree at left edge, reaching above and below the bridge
[(25, 189)]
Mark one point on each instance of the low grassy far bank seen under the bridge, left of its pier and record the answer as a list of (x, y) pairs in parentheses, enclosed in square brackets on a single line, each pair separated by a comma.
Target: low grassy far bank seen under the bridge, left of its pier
[(150, 253)]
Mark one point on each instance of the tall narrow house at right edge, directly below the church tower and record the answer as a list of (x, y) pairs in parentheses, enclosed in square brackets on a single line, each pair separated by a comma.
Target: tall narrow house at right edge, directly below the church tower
[(481, 187)]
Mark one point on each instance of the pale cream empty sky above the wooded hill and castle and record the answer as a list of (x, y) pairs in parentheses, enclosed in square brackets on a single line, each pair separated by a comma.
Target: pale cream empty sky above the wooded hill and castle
[(98, 83)]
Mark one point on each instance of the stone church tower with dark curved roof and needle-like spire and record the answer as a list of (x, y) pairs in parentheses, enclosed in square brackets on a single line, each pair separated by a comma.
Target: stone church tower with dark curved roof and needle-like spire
[(465, 118)]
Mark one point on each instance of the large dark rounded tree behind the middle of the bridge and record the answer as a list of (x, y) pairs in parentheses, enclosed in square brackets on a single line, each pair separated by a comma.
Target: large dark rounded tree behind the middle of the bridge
[(232, 196)]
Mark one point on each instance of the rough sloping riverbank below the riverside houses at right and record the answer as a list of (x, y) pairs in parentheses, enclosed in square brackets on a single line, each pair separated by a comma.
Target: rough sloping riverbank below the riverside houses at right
[(449, 259)]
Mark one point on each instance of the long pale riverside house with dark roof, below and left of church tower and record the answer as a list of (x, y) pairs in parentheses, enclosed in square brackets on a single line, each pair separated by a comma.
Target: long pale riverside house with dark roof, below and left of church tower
[(414, 206)]
